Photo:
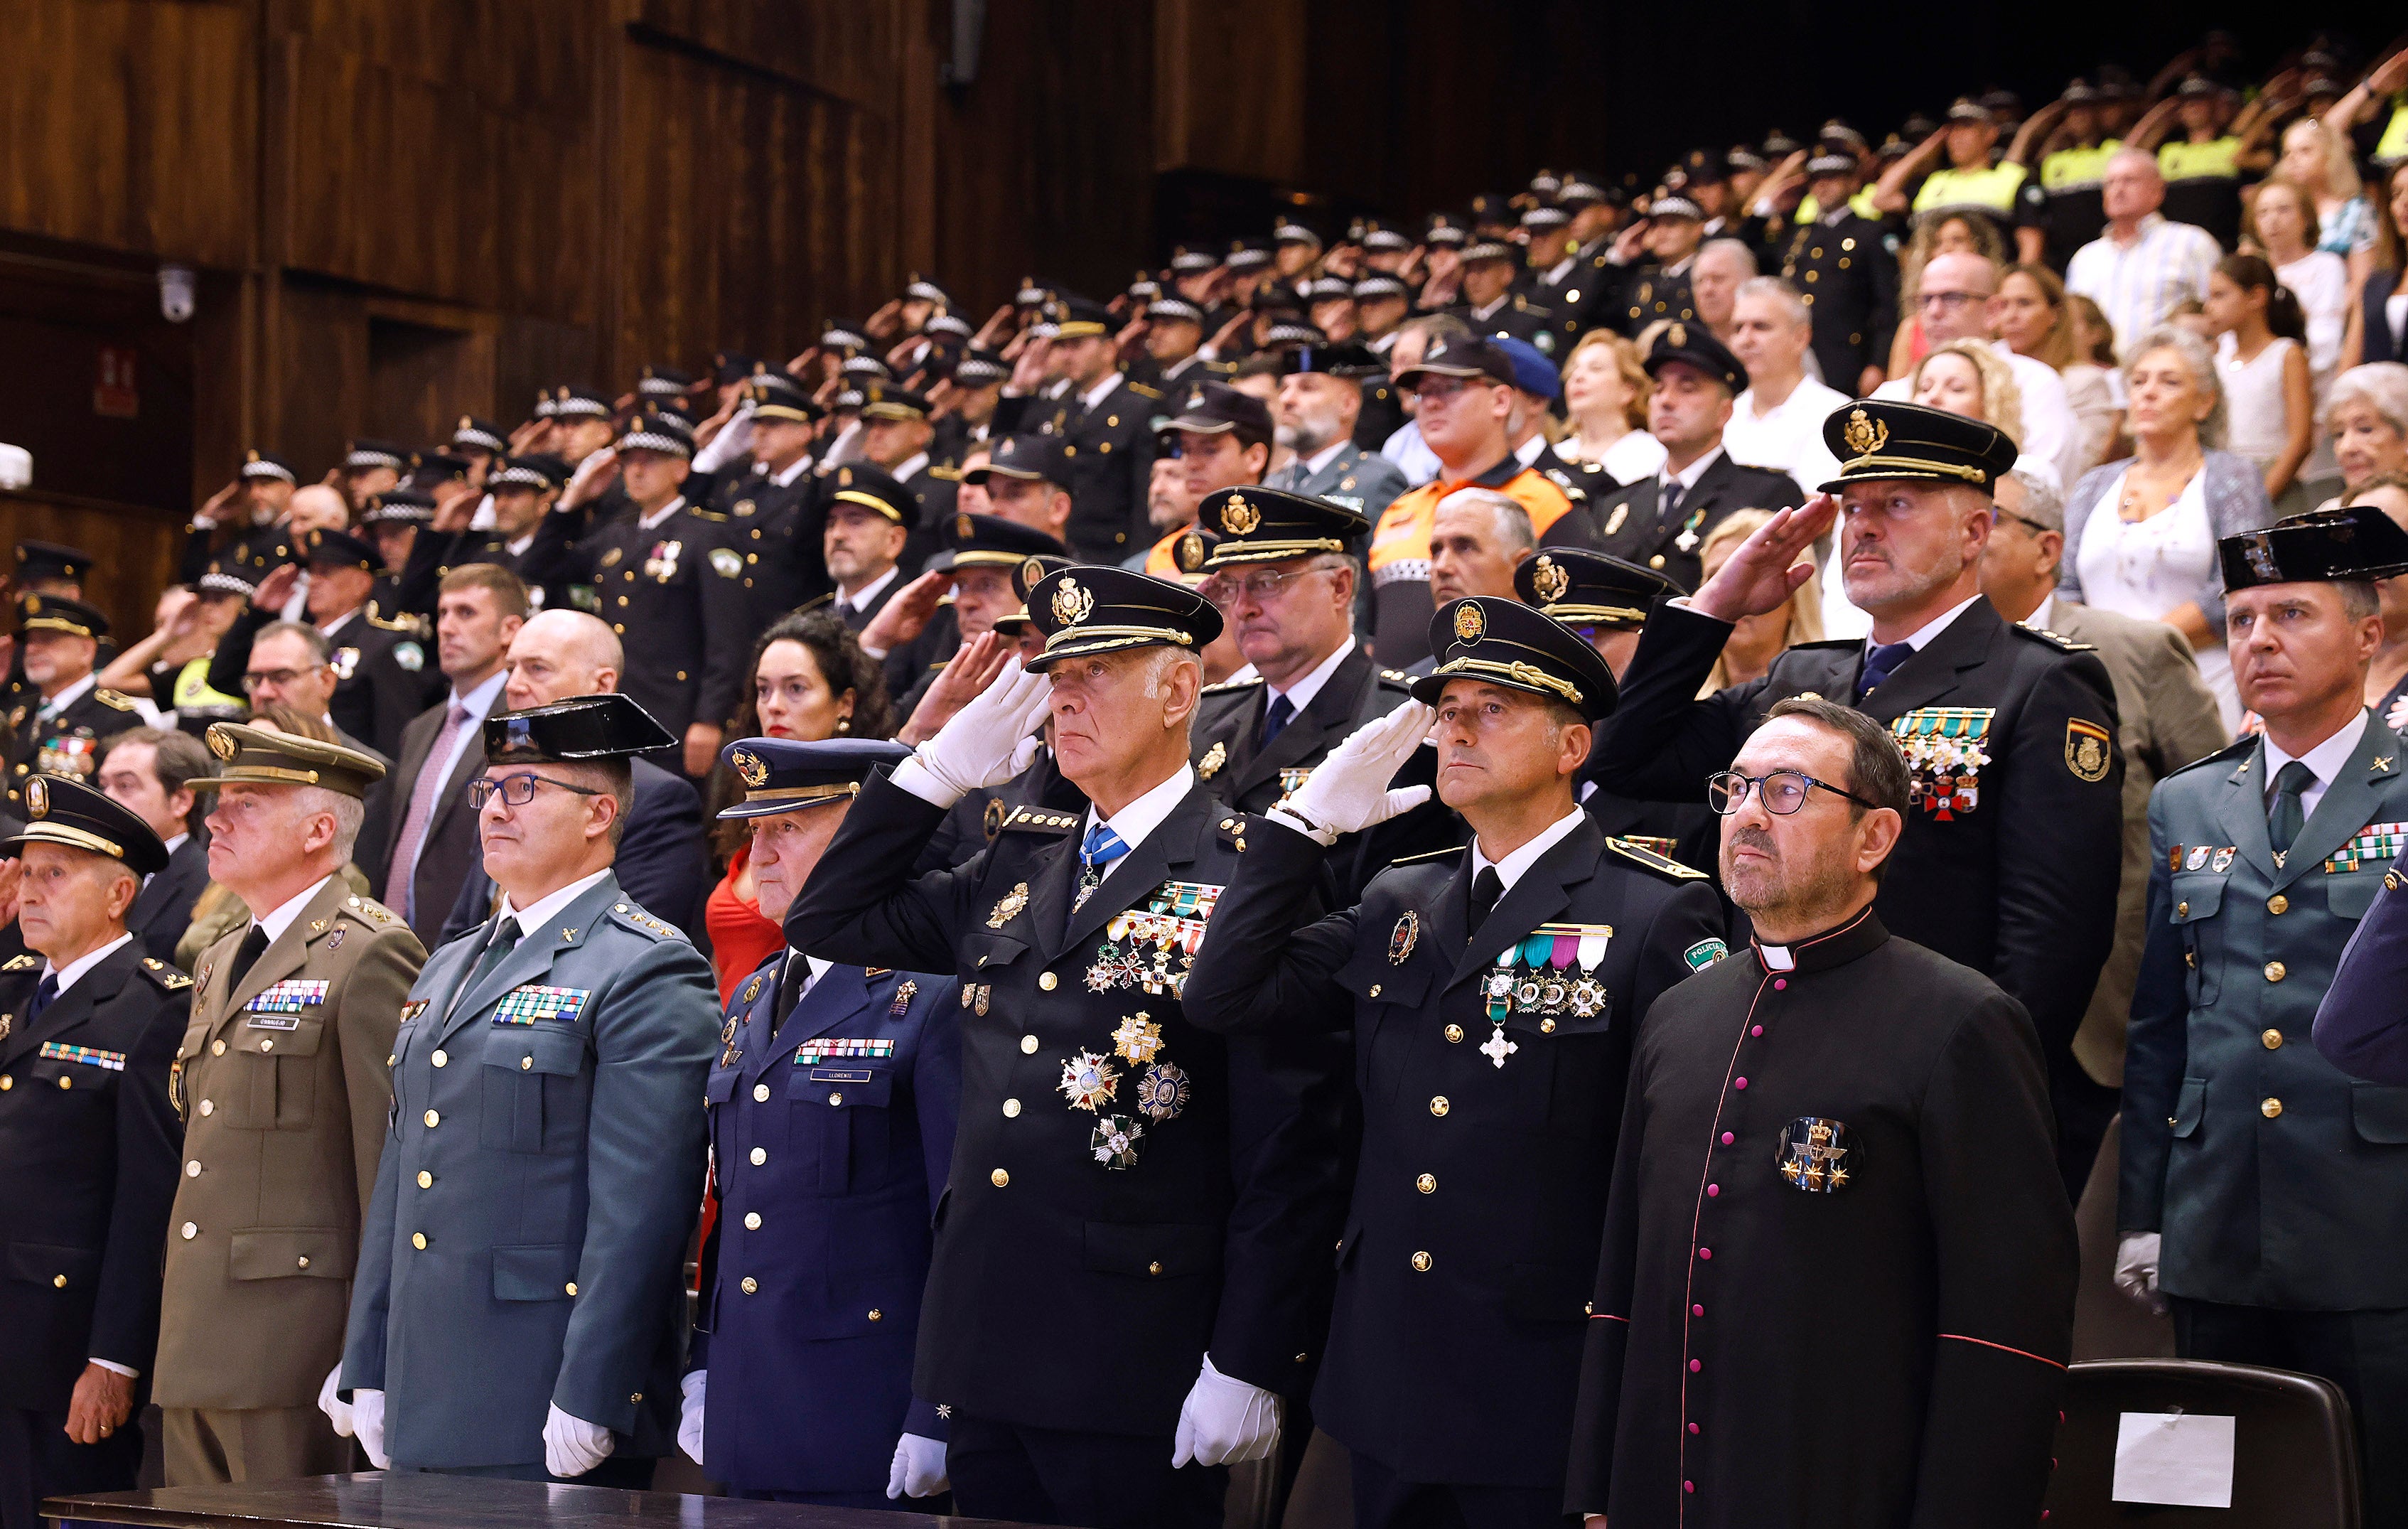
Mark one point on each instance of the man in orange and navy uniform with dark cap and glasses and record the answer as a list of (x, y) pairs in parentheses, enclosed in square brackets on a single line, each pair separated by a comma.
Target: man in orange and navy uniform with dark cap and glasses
[(1463, 396)]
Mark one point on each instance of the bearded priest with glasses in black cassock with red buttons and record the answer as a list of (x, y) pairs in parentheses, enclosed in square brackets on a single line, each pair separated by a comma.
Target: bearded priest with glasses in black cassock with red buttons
[(1928, 1273)]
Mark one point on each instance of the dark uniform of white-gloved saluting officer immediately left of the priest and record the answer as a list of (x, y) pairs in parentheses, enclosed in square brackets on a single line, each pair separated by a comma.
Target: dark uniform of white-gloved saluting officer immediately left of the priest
[(1489, 1128)]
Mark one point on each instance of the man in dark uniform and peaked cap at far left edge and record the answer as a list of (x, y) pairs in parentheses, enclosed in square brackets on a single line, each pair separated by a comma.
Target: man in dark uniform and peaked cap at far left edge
[(88, 1027)]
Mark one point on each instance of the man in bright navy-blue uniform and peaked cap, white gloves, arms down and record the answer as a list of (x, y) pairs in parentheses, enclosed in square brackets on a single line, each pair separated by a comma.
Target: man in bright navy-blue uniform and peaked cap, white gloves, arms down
[(798, 1383)]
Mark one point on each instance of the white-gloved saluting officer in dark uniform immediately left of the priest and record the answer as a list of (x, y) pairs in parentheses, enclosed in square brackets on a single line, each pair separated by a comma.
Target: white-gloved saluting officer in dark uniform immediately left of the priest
[(1494, 993)]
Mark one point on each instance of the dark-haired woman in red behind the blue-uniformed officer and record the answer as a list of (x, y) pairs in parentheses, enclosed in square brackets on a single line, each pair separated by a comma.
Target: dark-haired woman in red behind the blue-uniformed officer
[(810, 683)]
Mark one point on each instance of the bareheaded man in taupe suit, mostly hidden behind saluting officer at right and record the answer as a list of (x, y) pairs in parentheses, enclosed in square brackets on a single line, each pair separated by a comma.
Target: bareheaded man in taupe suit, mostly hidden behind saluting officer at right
[(2166, 719)]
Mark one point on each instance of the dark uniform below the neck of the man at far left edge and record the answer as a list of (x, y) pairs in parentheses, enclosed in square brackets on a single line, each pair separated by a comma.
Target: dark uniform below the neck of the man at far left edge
[(90, 1147)]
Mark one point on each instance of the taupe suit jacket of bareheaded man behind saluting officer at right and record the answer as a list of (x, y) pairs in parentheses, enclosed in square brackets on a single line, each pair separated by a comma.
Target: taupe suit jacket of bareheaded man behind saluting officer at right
[(2166, 719)]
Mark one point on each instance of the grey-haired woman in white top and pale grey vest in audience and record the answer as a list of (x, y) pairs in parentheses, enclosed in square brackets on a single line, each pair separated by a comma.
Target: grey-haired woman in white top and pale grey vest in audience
[(2142, 533)]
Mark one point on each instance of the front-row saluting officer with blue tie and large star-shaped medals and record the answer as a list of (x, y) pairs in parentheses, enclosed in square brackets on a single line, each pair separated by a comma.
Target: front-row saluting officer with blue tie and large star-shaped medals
[(1140, 1212)]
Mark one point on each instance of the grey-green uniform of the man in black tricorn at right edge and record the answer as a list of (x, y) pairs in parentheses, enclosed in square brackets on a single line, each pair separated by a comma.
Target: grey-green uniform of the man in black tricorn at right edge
[(2272, 1176)]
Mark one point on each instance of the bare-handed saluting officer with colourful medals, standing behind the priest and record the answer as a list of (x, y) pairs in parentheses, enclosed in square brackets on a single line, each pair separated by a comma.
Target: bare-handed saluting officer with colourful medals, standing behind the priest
[(2014, 842)]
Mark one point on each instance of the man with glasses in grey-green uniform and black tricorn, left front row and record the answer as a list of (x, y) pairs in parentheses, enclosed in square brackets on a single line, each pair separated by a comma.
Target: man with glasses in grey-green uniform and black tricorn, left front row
[(519, 1306)]
